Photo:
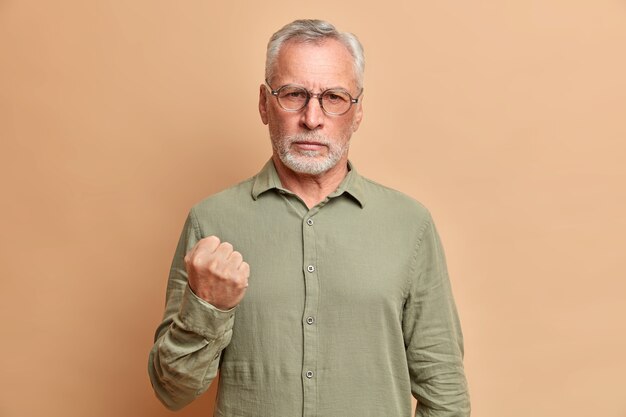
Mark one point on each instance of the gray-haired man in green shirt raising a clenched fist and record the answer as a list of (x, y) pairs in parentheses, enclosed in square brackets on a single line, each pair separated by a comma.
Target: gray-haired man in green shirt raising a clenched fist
[(314, 291)]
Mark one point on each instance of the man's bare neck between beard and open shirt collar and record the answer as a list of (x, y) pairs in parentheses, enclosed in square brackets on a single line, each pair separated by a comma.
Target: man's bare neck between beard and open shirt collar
[(312, 189)]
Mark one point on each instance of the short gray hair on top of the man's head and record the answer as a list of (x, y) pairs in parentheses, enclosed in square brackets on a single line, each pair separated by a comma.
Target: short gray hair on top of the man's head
[(314, 31)]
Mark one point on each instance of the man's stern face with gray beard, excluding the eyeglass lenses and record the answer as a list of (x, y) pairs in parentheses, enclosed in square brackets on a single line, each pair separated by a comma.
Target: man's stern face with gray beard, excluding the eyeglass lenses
[(309, 141)]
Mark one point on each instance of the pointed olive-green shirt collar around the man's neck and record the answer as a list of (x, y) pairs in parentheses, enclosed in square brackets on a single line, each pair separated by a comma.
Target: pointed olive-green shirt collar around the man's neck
[(267, 179)]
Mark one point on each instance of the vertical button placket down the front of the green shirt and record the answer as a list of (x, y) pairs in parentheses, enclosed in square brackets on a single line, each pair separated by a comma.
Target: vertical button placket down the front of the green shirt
[(310, 335)]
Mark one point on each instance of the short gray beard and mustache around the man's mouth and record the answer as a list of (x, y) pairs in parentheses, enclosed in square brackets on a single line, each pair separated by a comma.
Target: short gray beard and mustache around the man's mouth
[(308, 162)]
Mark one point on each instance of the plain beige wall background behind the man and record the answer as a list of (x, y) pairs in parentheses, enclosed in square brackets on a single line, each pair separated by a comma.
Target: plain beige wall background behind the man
[(506, 118)]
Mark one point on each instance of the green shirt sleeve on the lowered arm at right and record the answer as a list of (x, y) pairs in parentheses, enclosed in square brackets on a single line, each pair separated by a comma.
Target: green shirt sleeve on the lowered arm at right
[(432, 334)]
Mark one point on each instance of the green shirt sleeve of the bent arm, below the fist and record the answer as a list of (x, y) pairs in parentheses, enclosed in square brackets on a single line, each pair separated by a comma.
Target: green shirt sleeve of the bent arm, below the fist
[(188, 343)]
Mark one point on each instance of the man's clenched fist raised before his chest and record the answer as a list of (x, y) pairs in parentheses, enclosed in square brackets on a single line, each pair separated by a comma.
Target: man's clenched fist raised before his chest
[(217, 273)]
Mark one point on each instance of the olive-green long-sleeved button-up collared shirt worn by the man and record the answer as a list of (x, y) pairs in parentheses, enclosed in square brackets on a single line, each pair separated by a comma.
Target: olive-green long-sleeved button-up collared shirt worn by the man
[(348, 311)]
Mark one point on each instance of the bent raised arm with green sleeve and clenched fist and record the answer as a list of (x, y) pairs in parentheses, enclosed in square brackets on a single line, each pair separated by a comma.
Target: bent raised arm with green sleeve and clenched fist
[(185, 357)]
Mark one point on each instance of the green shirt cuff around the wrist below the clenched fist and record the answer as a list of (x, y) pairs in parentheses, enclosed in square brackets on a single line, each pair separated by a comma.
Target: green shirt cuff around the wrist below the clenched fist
[(199, 316)]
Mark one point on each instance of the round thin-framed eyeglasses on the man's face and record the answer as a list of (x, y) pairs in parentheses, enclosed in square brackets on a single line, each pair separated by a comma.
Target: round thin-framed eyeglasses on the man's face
[(334, 101)]
